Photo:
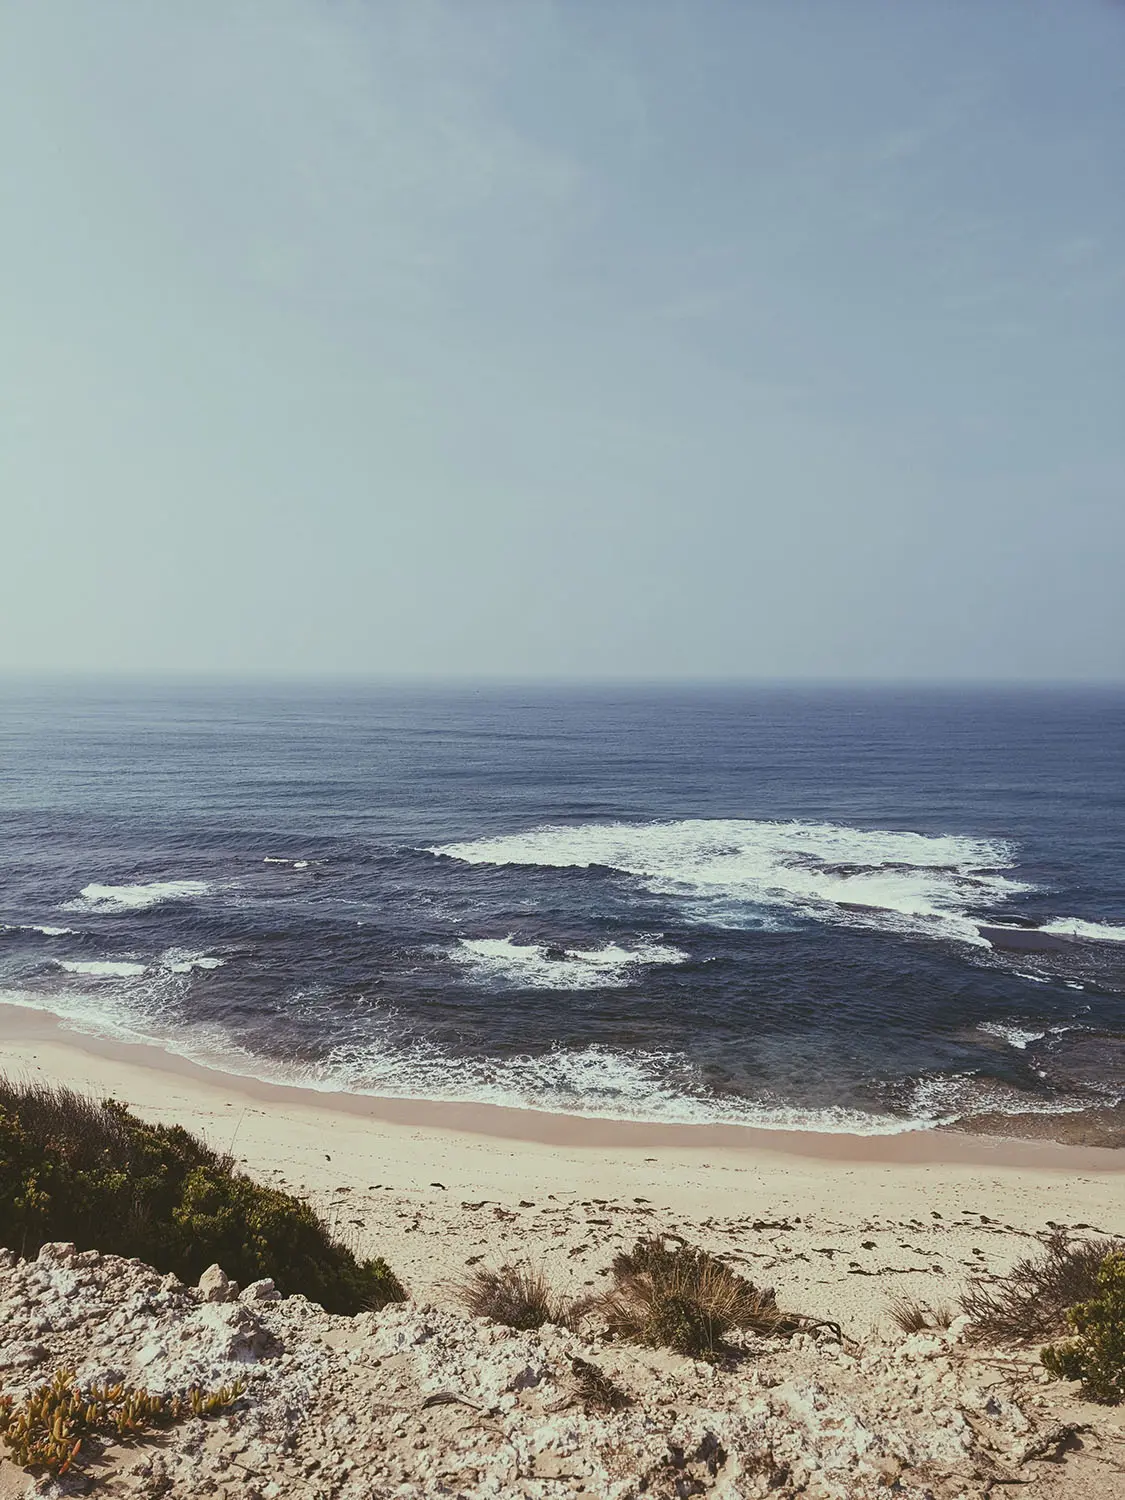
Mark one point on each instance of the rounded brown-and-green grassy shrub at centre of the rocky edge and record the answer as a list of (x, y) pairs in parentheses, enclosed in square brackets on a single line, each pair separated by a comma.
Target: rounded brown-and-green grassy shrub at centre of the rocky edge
[(682, 1298)]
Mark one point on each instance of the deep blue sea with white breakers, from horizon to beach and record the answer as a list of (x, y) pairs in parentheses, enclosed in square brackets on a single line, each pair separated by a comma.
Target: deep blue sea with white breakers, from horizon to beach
[(745, 905)]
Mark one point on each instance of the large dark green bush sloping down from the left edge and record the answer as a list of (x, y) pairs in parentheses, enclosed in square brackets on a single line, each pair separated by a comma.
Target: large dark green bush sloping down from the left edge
[(88, 1171)]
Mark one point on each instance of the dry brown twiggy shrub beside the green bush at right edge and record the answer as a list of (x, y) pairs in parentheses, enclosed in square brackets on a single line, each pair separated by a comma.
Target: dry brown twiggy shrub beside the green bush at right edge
[(1031, 1303)]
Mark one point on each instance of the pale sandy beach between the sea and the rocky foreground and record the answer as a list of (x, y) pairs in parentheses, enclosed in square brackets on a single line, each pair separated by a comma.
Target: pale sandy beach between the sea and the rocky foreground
[(839, 1225)]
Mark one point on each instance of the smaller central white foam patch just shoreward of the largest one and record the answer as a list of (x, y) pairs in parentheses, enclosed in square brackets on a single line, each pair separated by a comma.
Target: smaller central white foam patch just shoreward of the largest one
[(539, 967)]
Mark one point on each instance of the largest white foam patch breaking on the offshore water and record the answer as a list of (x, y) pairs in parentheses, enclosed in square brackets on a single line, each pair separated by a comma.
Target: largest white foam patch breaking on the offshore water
[(910, 881)]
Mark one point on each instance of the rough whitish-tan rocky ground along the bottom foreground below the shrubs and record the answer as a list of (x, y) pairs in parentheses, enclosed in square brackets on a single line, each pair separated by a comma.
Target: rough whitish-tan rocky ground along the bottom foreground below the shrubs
[(419, 1402)]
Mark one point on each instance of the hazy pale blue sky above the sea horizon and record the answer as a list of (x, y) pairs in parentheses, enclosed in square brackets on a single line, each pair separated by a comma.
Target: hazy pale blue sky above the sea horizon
[(601, 338)]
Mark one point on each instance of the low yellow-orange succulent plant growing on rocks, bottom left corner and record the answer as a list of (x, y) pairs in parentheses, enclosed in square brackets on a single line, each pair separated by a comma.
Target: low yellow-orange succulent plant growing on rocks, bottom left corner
[(50, 1429)]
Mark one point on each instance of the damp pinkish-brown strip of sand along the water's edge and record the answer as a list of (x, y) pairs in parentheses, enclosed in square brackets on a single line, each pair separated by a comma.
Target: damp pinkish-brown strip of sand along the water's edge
[(25, 1030)]
